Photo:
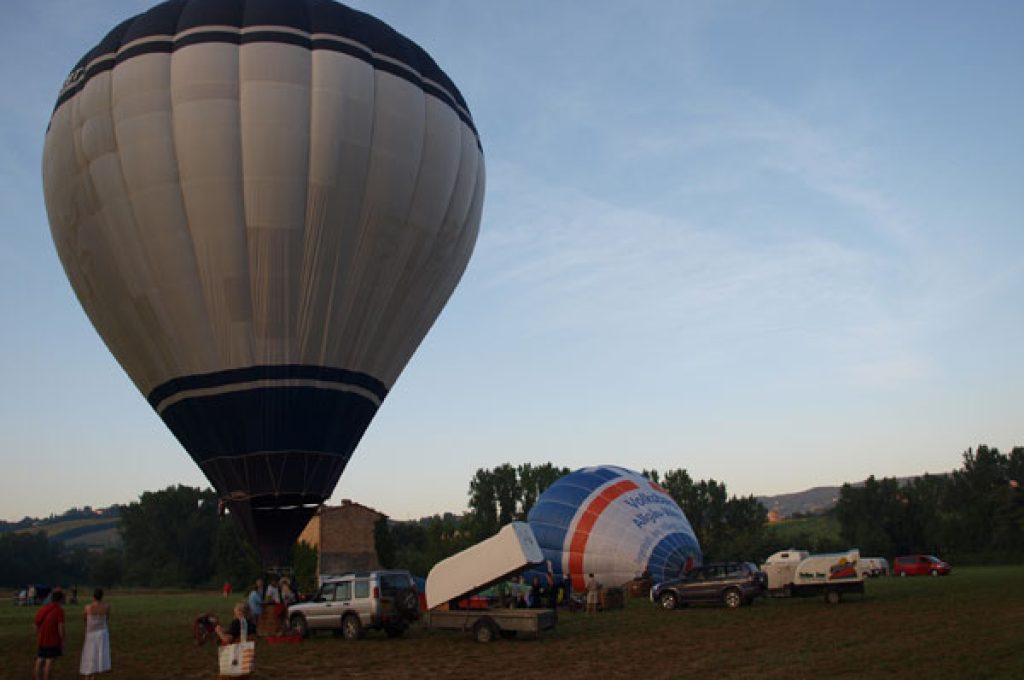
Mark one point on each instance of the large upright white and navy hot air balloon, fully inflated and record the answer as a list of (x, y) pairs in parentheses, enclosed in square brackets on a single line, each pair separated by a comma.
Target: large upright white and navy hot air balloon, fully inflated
[(263, 207)]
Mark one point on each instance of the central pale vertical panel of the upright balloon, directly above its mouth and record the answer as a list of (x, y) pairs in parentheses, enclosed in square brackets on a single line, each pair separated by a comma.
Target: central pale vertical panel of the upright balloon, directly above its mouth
[(275, 96)]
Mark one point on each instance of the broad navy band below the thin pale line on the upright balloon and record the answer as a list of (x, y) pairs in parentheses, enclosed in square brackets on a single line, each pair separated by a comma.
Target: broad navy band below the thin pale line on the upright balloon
[(266, 420)]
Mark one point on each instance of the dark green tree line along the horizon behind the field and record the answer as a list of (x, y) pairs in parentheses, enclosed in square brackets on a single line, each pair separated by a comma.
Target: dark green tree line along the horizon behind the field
[(176, 537)]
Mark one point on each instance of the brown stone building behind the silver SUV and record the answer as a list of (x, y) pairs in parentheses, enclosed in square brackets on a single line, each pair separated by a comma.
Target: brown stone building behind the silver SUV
[(344, 537)]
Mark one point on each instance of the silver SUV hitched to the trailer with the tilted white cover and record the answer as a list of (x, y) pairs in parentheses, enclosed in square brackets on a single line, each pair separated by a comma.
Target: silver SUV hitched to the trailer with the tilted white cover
[(354, 604)]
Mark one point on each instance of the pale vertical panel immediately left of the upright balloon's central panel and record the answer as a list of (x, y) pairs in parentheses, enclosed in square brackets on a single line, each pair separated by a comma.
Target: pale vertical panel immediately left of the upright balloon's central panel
[(208, 145)]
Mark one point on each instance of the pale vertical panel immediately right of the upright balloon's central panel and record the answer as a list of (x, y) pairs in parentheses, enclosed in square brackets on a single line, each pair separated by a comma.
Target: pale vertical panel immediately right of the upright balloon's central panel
[(342, 124)]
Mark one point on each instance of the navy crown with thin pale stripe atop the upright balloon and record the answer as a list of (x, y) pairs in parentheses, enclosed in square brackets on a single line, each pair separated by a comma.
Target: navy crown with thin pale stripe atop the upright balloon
[(155, 30)]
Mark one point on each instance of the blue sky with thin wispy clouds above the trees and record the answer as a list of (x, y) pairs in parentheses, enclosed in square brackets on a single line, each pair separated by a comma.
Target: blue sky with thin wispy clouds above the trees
[(777, 244)]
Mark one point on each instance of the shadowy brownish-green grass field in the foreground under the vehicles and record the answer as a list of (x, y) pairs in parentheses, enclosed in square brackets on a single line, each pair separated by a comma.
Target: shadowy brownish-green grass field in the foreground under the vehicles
[(968, 625)]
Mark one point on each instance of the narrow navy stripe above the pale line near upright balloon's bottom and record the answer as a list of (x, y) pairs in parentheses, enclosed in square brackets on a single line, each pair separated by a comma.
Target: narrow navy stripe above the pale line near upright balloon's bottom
[(254, 373)]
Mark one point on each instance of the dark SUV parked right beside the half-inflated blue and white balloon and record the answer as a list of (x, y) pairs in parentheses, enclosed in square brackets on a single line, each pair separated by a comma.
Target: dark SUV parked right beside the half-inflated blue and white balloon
[(732, 584)]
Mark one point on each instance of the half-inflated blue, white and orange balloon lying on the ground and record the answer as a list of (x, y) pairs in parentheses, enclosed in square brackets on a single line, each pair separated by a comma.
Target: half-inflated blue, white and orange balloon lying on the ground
[(615, 524)]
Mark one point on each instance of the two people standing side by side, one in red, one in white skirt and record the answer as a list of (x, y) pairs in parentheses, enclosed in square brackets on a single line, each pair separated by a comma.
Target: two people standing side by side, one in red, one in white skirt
[(50, 624)]
